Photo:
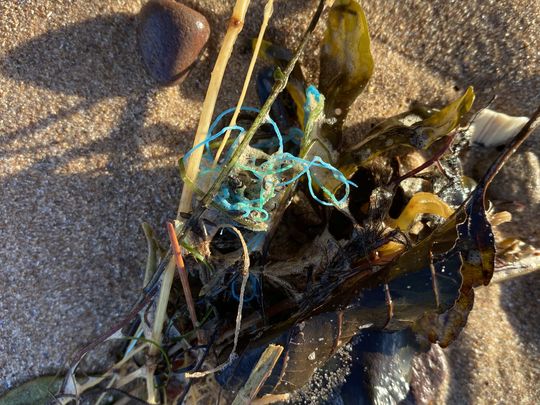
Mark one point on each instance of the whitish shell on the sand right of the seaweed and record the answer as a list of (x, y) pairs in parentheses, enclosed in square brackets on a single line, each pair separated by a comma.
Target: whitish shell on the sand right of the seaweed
[(492, 128)]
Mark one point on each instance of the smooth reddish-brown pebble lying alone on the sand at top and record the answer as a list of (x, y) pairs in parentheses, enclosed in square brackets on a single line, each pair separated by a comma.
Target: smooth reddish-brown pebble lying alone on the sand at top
[(171, 36)]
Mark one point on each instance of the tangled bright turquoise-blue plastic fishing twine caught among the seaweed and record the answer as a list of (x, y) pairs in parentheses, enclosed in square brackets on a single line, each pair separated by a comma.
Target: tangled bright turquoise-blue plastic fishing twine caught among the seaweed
[(260, 176)]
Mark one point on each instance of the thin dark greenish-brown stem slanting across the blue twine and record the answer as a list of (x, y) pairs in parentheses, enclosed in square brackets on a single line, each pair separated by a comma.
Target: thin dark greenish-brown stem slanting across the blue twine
[(280, 84)]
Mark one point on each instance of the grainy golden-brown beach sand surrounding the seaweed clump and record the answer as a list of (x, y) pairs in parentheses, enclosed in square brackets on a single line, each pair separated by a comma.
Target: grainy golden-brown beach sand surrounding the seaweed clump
[(88, 147)]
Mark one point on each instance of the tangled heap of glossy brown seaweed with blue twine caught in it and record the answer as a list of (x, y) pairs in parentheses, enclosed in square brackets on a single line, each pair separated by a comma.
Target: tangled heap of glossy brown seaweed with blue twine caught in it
[(296, 244)]
